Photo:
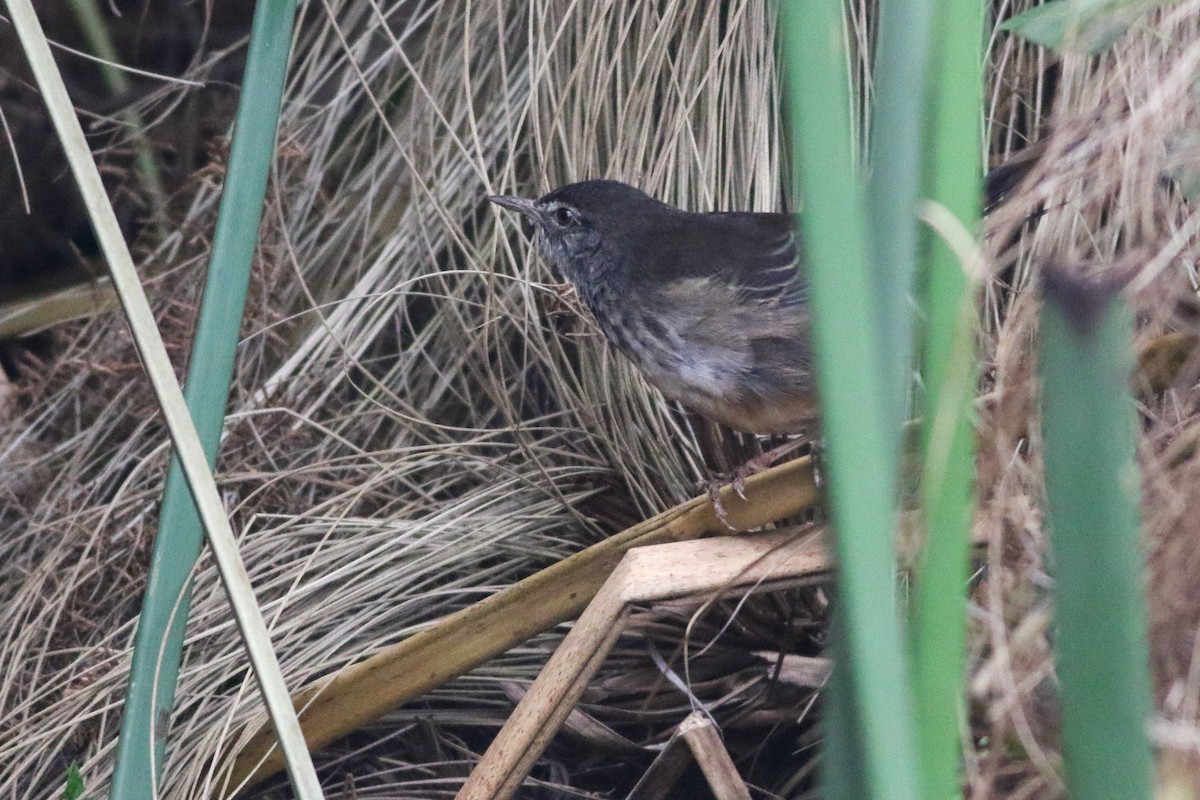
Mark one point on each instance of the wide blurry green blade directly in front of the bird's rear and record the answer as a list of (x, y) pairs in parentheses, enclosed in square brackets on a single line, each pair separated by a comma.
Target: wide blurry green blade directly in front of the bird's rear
[(860, 462)]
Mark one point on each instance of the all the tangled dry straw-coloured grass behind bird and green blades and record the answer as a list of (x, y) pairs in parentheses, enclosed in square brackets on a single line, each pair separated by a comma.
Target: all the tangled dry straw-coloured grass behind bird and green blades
[(418, 419)]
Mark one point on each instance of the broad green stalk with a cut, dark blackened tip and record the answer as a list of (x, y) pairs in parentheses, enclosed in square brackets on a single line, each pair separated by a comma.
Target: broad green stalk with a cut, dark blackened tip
[(1093, 498)]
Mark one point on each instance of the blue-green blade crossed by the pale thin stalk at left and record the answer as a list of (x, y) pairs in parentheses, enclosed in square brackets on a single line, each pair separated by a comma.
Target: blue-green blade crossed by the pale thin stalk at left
[(161, 625)]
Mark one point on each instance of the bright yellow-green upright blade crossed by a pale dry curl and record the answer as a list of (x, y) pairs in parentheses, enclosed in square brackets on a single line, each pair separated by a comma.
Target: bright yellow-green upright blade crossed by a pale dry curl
[(950, 377)]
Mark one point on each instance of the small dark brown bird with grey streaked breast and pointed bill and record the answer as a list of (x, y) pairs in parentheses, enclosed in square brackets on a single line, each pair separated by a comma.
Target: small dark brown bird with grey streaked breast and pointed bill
[(710, 306)]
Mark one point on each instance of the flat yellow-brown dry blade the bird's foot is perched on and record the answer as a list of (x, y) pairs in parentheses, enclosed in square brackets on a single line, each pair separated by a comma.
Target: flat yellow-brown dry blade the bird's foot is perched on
[(363, 693)]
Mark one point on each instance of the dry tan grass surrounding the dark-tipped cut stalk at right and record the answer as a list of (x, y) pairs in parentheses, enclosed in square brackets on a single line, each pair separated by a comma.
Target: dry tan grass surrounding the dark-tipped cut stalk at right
[(1106, 191)]
